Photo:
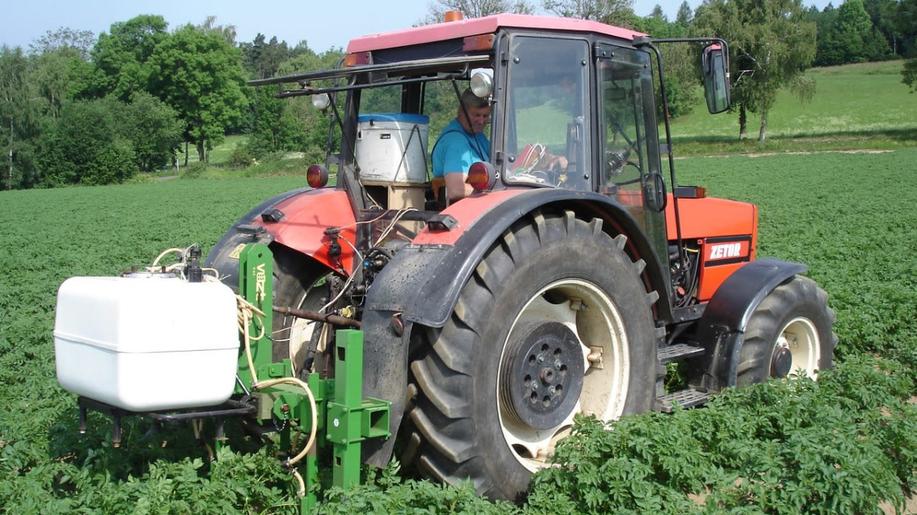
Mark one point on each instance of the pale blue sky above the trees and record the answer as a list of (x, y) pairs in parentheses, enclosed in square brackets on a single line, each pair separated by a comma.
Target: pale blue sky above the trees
[(318, 23)]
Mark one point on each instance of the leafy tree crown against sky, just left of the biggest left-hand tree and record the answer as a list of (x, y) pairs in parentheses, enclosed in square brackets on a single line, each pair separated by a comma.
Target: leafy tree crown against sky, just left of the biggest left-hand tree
[(121, 57)]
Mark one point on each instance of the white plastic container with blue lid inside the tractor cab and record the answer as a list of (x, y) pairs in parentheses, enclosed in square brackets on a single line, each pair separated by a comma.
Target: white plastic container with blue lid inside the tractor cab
[(392, 147)]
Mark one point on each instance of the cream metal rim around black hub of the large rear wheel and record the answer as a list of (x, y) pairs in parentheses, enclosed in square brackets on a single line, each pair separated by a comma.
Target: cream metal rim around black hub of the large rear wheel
[(598, 325)]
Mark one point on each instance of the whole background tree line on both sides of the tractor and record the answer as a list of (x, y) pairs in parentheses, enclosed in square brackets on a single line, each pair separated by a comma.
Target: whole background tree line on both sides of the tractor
[(80, 109)]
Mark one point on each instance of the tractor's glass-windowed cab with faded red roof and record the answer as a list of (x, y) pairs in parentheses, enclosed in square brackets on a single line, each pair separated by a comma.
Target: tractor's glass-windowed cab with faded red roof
[(573, 107)]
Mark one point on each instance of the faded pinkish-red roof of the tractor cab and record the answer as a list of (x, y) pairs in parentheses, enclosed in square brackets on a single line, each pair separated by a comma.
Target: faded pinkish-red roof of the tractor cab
[(477, 26)]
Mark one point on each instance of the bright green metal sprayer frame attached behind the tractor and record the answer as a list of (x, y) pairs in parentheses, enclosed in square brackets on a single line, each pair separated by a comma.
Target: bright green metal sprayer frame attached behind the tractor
[(344, 417)]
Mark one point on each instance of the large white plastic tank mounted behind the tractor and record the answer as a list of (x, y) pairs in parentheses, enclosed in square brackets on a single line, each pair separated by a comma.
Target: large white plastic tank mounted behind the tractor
[(146, 343)]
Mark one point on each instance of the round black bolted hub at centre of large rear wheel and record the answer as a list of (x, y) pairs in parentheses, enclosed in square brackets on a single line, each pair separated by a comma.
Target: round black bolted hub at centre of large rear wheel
[(544, 375)]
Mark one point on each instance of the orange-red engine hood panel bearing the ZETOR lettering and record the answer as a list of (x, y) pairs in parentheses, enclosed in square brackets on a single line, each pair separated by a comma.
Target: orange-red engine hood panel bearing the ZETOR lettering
[(726, 232)]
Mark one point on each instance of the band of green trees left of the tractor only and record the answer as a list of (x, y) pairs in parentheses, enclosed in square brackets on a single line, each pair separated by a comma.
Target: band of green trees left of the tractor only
[(76, 109)]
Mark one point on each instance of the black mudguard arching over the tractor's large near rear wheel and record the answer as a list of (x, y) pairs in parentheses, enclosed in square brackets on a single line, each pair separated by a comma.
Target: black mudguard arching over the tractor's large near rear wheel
[(422, 283)]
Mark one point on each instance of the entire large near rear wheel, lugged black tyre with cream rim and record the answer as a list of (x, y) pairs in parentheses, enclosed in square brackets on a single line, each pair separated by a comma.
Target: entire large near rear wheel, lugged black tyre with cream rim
[(555, 321)]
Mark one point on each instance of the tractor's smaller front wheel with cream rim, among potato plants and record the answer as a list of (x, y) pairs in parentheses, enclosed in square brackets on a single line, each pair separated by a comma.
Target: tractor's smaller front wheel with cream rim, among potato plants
[(788, 333)]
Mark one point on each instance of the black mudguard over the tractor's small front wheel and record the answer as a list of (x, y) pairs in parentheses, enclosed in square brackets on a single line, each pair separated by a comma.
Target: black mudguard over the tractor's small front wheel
[(722, 328)]
